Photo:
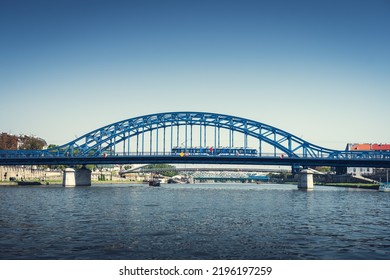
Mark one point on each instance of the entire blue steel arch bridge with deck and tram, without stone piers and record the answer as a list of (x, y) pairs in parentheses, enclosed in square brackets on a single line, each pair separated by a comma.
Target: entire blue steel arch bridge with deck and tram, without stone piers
[(193, 138)]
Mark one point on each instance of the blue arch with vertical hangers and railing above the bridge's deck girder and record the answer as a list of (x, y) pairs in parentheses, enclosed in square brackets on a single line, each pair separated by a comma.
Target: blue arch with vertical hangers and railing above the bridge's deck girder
[(156, 135)]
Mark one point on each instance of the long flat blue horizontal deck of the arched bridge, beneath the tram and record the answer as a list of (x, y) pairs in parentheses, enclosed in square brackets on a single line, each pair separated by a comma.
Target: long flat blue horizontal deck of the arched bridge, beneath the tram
[(195, 159)]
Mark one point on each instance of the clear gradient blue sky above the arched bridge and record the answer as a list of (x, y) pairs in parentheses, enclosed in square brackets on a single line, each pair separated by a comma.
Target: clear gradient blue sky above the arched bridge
[(318, 69)]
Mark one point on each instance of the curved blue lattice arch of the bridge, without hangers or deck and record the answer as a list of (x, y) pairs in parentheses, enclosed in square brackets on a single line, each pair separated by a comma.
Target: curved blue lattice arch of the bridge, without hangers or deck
[(102, 140)]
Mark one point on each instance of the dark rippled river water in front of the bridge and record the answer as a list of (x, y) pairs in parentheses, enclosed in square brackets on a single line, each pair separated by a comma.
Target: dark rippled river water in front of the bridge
[(201, 221)]
